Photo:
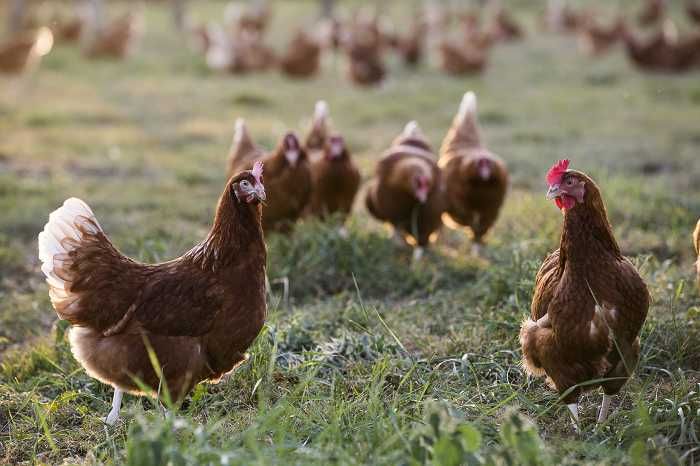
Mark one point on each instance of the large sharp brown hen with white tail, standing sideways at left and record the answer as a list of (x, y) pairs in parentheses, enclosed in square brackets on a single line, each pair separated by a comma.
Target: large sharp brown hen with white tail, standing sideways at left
[(198, 313)]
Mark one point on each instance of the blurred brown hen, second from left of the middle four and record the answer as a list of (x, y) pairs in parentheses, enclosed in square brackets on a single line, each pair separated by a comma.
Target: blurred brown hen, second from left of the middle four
[(335, 177)]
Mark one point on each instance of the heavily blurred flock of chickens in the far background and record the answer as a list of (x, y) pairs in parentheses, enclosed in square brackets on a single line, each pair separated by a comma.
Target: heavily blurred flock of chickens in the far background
[(238, 44)]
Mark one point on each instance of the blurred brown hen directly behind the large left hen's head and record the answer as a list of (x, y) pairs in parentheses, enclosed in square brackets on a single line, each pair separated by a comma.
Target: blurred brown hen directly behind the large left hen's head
[(287, 177)]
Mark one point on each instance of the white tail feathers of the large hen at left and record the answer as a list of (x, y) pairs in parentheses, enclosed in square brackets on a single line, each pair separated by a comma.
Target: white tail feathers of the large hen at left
[(64, 224)]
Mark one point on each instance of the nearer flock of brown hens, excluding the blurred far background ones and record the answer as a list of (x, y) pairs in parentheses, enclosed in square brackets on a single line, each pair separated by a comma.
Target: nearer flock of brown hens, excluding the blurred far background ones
[(199, 313)]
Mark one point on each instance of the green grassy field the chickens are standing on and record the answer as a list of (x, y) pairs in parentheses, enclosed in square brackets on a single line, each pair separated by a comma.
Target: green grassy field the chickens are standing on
[(369, 359)]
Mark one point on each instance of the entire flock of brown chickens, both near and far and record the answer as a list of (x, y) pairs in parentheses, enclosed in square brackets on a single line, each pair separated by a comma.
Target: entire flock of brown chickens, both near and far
[(199, 313)]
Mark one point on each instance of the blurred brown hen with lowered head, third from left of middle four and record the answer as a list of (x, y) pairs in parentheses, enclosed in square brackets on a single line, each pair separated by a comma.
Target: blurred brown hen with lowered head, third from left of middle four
[(407, 191)]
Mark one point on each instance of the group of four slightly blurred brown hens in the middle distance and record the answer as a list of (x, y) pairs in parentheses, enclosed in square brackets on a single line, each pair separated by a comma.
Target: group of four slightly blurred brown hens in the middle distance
[(413, 188)]
